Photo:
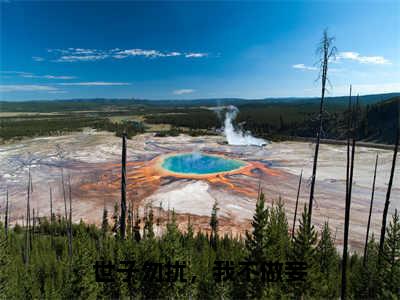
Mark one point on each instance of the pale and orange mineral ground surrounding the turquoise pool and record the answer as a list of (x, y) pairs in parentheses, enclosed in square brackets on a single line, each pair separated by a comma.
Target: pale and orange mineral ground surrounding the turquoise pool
[(91, 160)]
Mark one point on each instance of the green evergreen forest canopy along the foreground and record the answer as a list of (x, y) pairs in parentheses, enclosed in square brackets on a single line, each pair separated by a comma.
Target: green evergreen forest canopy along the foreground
[(55, 259)]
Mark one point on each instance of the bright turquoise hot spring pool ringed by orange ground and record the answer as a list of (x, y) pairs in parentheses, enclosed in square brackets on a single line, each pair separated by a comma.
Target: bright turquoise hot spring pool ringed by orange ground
[(200, 164)]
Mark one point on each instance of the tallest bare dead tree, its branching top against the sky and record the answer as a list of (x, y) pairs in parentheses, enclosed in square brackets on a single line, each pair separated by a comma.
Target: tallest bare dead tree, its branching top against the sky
[(327, 51)]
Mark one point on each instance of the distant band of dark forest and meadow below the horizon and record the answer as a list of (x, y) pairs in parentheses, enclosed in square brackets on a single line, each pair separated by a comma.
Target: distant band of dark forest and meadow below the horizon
[(377, 120)]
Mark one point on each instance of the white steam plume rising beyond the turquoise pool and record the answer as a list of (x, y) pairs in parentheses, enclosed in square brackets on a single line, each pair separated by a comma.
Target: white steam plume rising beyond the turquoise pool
[(238, 137)]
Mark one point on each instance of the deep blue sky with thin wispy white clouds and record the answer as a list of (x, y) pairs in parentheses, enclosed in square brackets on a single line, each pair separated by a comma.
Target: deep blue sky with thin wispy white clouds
[(192, 50)]
